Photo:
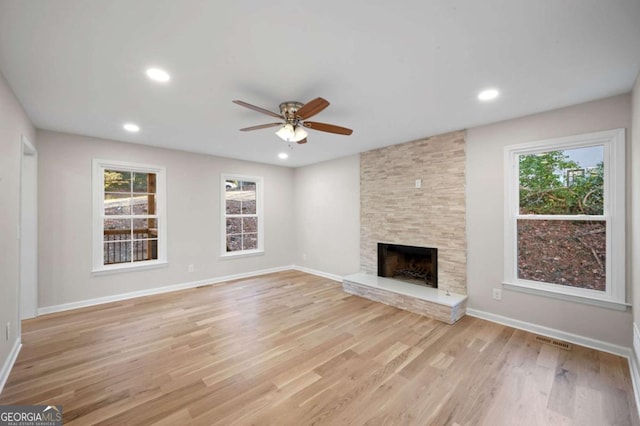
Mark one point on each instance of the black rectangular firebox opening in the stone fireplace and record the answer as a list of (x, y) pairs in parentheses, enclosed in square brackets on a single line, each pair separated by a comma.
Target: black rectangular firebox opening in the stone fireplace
[(417, 265)]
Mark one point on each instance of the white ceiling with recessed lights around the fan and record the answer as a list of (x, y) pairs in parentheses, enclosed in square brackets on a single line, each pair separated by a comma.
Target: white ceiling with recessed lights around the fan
[(393, 71)]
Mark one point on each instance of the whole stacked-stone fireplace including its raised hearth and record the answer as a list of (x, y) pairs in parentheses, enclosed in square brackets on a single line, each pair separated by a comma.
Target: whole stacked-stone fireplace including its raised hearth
[(414, 193)]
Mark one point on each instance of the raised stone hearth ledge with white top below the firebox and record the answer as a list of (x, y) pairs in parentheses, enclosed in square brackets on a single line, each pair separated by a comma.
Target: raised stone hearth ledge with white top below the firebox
[(418, 299)]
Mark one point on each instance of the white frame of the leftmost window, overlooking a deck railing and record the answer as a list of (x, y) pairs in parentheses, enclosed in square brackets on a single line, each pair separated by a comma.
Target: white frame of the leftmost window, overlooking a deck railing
[(99, 166)]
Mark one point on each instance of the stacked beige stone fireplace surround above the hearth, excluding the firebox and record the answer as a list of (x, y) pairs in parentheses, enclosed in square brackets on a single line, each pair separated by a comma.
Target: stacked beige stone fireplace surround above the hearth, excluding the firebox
[(394, 211)]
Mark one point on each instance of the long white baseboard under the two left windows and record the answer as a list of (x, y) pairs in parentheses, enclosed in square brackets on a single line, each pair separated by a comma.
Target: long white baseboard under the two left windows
[(159, 290)]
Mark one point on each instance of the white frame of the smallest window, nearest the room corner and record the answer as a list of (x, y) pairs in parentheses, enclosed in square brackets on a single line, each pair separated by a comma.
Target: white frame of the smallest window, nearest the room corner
[(224, 254)]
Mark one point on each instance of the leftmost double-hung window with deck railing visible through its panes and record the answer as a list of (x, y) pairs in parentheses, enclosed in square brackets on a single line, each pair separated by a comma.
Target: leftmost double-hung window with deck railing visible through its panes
[(129, 215)]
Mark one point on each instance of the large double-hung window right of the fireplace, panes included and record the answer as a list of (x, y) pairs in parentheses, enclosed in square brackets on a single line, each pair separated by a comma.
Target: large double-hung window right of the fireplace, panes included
[(565, 218)]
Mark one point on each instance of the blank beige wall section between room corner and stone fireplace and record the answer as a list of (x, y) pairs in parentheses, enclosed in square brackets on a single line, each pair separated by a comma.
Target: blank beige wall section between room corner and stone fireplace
[(327, 216)]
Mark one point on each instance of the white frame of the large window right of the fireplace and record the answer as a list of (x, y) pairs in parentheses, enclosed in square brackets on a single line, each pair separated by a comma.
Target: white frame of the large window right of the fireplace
[(613, 215)]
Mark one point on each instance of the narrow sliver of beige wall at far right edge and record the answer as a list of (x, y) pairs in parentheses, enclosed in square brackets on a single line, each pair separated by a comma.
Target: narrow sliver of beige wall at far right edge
[(635, 201)]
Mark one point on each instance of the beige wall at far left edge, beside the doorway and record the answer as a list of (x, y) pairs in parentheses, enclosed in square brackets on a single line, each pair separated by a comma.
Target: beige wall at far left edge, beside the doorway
[(13, 125)]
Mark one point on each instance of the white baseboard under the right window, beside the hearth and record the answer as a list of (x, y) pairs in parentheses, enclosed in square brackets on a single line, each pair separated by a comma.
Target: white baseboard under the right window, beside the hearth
[(554, 333)]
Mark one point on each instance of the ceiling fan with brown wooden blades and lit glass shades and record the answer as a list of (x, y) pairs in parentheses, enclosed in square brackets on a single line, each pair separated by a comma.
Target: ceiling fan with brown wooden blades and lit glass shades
[(295, 115)]
